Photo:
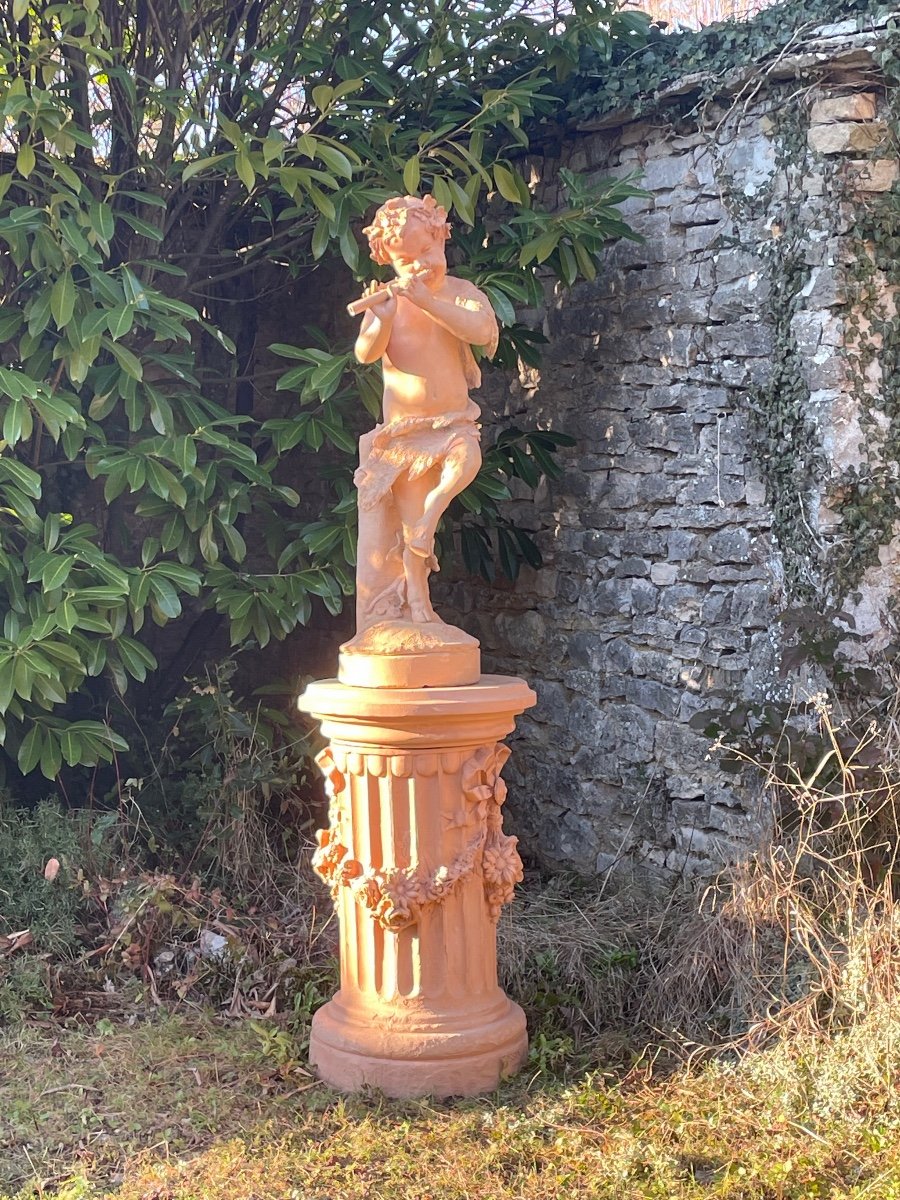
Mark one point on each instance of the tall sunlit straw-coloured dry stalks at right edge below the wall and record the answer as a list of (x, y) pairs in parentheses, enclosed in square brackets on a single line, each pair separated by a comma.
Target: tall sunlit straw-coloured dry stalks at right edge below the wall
[(805, 935)]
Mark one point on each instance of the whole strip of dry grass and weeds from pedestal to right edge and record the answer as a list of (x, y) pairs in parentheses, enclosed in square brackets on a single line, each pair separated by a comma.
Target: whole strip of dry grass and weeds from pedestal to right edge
[(803, 937)]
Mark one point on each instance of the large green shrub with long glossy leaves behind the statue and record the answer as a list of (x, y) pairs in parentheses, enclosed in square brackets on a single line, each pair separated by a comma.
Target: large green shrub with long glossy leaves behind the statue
[(164, 178)]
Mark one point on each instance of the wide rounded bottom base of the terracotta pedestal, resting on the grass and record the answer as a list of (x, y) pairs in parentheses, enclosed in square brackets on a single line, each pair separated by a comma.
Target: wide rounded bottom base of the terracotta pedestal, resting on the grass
[(419, 1058)]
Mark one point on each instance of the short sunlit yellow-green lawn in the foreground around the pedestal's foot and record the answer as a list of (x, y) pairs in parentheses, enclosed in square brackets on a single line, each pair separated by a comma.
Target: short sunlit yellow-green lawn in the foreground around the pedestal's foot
[(195, 1108)]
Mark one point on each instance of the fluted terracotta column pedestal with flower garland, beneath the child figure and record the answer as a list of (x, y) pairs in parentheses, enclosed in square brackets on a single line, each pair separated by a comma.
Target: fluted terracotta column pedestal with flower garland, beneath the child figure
[(419, 868)]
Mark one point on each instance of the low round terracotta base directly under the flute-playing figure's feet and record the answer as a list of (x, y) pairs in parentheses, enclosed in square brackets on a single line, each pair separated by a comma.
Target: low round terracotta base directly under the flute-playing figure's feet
[(410, 655)]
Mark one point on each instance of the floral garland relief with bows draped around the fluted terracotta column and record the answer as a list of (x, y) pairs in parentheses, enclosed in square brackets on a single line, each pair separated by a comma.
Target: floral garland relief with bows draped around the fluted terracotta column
[(397, 896)]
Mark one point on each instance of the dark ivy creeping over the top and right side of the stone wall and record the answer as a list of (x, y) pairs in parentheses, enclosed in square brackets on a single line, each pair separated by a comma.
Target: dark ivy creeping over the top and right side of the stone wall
[(785, 436)]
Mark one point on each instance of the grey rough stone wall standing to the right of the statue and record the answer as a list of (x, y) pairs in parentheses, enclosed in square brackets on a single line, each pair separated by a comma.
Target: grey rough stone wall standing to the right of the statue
[(669, 556)]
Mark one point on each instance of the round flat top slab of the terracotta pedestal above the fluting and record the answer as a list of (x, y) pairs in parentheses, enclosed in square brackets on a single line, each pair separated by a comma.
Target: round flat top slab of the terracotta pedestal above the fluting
[(491, 694)]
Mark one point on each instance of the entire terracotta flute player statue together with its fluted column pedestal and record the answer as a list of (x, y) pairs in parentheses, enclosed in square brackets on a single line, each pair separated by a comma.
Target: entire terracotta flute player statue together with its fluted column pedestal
[(415, 854)]
